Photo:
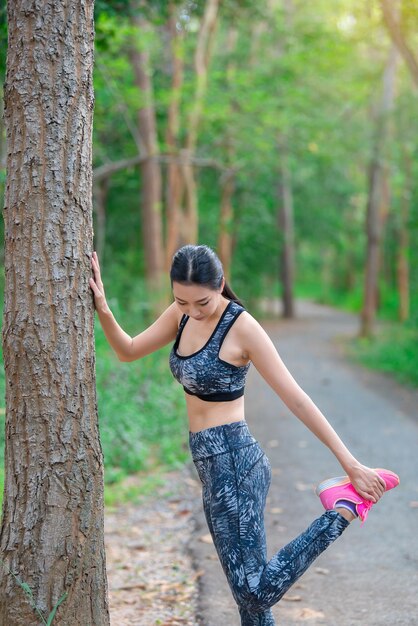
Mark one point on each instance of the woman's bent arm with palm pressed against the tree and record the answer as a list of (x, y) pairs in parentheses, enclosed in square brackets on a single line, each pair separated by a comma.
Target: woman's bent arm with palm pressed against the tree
[(161, 332)]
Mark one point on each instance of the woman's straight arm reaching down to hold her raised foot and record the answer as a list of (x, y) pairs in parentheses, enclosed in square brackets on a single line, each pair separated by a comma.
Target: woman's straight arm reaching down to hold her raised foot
[(260, 349)]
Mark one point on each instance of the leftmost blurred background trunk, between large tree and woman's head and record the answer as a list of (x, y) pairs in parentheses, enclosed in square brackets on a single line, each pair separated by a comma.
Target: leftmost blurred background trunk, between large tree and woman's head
[(151, 184)]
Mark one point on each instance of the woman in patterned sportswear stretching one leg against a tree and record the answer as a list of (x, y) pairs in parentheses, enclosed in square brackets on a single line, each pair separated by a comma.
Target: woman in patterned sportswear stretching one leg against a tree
[(215, 340)]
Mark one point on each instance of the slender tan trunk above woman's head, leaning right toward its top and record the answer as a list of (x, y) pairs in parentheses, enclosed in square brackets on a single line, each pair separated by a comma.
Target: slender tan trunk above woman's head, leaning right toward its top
[(202, 58)]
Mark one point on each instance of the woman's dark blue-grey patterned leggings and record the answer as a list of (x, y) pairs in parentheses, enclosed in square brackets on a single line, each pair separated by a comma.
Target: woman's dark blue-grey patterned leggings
[(235, 474)]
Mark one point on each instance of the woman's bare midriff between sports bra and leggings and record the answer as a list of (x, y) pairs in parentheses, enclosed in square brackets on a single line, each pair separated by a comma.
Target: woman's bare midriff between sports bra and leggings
[(208, 414)]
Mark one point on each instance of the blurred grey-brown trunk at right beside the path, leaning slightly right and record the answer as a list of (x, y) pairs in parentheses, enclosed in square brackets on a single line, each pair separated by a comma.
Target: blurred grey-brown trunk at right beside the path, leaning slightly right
[(378, 198)]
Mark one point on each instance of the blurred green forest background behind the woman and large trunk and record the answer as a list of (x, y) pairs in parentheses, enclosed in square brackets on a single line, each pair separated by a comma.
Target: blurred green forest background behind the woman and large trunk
[(282, 133)]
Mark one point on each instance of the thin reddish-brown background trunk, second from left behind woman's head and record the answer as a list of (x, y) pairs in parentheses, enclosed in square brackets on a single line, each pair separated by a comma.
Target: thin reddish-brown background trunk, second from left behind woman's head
[(174, 177)]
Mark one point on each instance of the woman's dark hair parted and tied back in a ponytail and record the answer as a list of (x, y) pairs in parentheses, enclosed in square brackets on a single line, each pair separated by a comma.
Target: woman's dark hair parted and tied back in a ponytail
[(200, 265)]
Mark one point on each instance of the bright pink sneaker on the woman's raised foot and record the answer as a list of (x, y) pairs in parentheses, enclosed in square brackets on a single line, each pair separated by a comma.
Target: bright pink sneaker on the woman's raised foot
[(339, 488)]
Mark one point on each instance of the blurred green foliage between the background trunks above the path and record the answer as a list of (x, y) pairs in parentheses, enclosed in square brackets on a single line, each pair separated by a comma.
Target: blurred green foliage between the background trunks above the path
[(307, 80)]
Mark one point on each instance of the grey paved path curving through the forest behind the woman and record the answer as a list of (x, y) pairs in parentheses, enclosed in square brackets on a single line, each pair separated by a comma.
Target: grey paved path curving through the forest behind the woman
[(369, 577)]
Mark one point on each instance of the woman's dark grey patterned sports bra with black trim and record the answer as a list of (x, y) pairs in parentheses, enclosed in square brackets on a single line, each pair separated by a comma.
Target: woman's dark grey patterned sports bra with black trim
[(203, 373)]
